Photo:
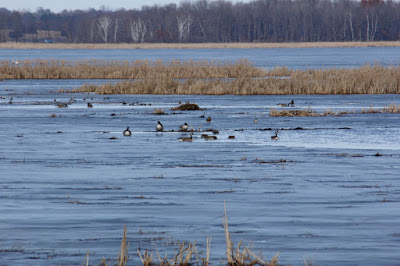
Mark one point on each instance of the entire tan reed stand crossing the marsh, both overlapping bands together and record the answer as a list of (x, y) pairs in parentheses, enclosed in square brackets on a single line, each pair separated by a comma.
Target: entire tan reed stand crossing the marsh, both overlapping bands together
[(208, 78)]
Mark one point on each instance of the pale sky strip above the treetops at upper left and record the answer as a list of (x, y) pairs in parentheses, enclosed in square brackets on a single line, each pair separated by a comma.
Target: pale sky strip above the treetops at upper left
[(57, 5)]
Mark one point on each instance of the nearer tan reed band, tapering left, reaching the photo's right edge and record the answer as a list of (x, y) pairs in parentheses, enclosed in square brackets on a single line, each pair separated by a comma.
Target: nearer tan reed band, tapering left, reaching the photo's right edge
[(364, 80)]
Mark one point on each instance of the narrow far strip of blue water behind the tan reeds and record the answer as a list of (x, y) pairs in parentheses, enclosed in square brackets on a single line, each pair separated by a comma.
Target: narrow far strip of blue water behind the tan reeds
[(294, 58)]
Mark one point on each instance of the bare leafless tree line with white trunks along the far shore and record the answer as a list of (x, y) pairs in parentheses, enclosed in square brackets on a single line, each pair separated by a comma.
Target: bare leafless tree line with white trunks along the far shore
[(211, 21)]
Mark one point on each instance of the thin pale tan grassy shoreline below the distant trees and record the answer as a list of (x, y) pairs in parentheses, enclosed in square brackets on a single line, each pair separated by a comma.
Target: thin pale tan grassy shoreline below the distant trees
[(12, 45)]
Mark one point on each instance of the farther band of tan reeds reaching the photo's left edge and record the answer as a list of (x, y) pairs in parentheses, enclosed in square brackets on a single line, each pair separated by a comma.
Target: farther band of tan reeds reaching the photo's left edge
[(140, 69)]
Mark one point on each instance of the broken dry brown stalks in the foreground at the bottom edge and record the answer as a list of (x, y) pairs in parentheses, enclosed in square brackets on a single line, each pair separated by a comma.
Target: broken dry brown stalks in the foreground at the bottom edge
[(187, 254)]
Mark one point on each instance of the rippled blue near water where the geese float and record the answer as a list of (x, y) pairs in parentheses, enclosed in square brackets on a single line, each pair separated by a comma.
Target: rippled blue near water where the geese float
[(318, 192)]
